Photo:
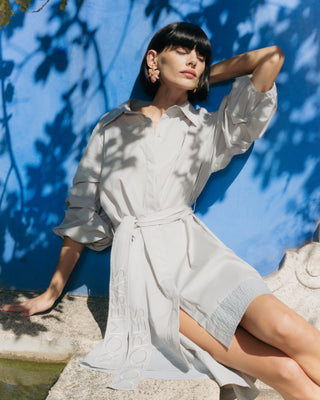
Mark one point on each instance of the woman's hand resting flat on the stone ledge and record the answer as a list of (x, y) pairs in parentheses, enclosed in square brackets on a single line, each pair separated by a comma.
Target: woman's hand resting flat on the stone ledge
[(33, 306)]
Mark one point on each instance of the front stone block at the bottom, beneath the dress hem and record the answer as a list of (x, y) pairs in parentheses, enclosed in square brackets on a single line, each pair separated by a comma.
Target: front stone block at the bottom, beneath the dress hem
[(76, 383)]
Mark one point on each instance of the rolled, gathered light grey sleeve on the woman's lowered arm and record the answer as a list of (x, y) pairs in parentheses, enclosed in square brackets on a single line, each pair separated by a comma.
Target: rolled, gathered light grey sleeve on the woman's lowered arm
[(85, 221)]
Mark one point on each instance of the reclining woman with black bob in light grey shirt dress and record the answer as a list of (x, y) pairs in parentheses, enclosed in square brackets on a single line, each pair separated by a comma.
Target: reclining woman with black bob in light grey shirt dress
[(144, 167)]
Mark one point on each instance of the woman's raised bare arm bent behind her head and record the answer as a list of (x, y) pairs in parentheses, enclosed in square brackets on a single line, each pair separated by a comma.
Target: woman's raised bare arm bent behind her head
[(264, 65)]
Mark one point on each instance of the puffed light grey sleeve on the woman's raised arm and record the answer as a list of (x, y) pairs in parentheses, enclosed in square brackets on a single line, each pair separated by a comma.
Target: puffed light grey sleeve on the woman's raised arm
[(243, 117)]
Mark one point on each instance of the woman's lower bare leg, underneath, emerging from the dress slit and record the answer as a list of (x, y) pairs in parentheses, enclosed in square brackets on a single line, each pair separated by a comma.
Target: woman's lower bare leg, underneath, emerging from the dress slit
[(251, 356)]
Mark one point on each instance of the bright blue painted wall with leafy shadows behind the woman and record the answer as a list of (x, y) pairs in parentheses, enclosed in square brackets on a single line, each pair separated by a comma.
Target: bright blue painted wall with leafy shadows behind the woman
[(61, 70)]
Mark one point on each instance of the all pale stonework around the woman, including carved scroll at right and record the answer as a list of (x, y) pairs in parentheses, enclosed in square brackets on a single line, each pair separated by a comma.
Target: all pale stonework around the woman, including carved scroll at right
[(77, 324)]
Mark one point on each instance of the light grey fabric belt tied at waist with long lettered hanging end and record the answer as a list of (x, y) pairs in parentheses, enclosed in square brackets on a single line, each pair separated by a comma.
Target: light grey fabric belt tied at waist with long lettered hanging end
[(127, 342)]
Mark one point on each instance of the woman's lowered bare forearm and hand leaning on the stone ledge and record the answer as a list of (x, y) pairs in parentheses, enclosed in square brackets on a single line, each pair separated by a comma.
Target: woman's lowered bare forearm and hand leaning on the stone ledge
[(69, 255)]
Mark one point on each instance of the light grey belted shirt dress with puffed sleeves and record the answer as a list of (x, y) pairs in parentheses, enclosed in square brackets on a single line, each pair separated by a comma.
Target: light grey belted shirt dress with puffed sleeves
[(135, 188)]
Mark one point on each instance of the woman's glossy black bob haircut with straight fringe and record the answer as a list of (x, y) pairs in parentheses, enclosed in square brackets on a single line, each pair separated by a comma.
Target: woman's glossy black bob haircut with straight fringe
[(178, 34)]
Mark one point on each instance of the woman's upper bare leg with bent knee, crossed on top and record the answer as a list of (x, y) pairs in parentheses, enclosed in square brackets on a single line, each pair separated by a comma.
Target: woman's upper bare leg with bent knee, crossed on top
[(270, 320)]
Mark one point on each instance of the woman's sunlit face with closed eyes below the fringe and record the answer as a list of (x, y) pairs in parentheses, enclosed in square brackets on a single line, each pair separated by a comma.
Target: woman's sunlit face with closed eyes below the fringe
[(180, 67)]
